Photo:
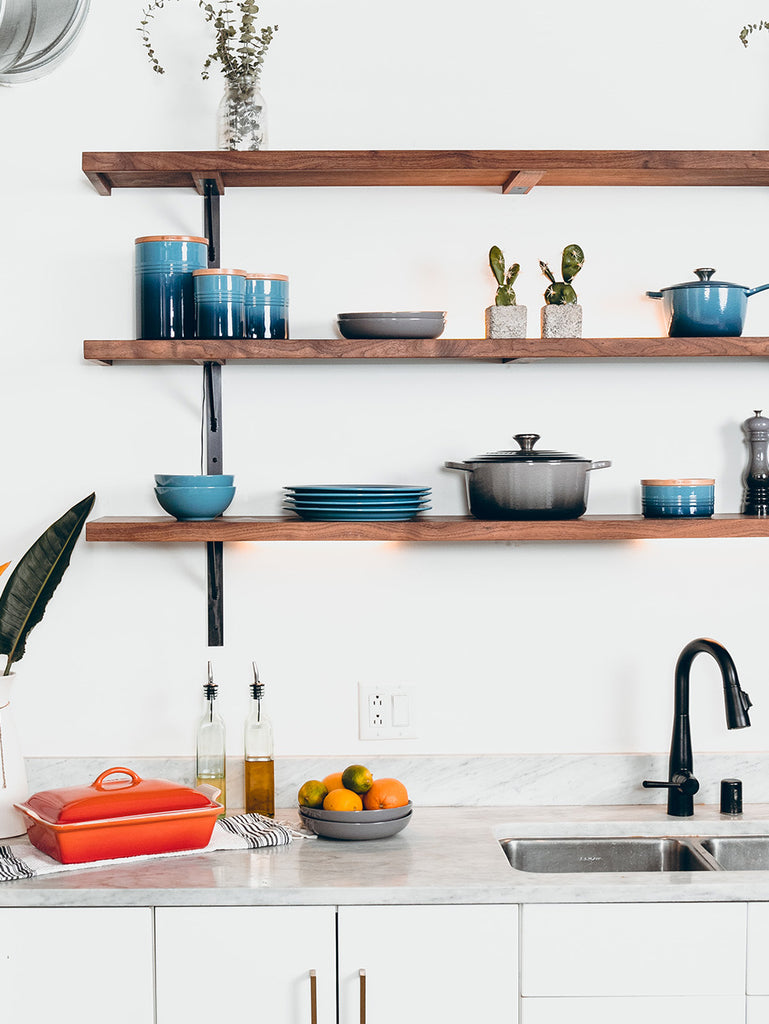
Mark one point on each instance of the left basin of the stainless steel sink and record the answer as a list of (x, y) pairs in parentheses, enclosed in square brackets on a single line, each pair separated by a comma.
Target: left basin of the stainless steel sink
[(609, 855)]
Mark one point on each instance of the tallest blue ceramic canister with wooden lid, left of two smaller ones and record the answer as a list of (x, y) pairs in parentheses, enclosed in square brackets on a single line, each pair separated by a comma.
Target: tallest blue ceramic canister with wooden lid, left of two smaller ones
[(165, 304)]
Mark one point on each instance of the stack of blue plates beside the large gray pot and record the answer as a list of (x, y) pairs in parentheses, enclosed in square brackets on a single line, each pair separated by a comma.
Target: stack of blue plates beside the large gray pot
[(358, 502)]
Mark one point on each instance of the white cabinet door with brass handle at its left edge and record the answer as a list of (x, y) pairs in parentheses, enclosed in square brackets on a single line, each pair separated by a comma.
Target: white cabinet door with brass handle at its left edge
[(448, 964)]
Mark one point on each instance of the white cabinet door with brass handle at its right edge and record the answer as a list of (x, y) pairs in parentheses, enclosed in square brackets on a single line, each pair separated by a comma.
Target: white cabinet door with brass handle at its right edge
[(245, 963)]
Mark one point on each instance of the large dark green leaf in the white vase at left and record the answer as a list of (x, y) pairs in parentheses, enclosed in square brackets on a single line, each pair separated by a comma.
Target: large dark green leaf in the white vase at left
[(33, 582)]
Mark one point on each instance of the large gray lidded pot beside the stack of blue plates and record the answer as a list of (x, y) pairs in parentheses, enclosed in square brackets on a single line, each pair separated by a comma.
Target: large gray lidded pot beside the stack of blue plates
[(528, 485)]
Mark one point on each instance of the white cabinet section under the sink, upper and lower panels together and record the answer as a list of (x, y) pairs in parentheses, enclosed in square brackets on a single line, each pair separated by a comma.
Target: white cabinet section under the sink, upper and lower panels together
[(668, 962)]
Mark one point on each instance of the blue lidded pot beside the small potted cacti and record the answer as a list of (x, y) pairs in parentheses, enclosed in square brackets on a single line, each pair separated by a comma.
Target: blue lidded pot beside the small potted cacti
[(705, 309)]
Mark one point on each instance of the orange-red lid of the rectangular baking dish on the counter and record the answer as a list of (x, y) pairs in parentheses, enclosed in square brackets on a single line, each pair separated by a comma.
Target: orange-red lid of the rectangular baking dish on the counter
[(116, 799)]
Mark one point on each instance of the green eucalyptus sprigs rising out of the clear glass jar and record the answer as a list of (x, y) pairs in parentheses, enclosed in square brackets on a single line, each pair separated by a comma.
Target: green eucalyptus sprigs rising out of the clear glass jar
[(240, 46)]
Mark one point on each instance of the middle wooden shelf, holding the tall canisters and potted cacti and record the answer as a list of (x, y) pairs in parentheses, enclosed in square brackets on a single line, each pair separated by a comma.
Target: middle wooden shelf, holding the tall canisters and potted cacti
[(482, 350)]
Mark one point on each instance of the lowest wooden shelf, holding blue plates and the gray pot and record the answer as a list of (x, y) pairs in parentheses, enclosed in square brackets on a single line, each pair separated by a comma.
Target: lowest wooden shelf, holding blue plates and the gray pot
[(163, 530)]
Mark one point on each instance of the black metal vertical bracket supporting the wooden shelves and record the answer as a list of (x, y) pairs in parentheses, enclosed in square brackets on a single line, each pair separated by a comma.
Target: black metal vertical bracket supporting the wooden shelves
[(211, 434)]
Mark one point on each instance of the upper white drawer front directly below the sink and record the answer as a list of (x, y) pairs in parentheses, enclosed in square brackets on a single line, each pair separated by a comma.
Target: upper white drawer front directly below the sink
[(634, 950)]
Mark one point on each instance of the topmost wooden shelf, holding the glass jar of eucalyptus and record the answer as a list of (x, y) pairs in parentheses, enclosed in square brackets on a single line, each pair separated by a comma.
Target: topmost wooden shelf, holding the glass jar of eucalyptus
[(516, 172)]
